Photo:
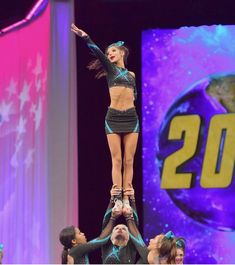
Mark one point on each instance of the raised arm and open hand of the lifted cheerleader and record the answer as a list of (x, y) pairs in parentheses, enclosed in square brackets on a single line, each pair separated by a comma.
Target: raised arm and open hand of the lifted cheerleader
[(108, 66)]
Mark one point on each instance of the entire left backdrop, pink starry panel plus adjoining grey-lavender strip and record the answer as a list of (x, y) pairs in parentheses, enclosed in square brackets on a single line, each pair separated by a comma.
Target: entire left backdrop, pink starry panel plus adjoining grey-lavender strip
[(38, 136)]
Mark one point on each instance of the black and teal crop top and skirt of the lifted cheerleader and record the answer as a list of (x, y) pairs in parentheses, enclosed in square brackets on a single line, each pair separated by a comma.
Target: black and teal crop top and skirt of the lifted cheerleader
[(117, 121)]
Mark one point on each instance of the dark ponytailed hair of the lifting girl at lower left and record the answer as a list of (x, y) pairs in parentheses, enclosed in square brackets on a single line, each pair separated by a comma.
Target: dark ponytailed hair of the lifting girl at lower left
[(66, 236)]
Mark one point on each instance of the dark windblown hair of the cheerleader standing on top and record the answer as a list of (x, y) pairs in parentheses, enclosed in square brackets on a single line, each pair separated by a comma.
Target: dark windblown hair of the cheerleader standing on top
[(96, 64)]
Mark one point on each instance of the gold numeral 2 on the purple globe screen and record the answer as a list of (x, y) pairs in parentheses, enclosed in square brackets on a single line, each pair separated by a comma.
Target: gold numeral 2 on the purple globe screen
[(188, 126)]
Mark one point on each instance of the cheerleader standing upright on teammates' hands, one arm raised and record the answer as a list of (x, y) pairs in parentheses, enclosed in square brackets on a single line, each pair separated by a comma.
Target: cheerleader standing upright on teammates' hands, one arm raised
[(121, 121)]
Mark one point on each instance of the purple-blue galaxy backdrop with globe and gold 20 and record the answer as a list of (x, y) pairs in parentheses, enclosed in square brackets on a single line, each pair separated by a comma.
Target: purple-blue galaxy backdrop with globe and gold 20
[(188, 94)]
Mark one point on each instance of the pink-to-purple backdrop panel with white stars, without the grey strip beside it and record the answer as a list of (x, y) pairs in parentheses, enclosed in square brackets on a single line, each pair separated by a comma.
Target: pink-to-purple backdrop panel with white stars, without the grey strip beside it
[(23, 167)]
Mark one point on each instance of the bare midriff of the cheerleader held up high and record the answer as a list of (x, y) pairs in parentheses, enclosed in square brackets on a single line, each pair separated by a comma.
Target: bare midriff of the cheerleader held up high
[(122, 98)]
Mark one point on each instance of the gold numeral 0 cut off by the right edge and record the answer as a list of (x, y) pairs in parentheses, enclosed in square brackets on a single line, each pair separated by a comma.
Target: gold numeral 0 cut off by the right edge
[(218, 164)]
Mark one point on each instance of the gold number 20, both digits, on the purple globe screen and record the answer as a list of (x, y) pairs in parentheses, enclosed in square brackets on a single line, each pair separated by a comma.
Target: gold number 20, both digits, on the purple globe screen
[(219, 157)]
